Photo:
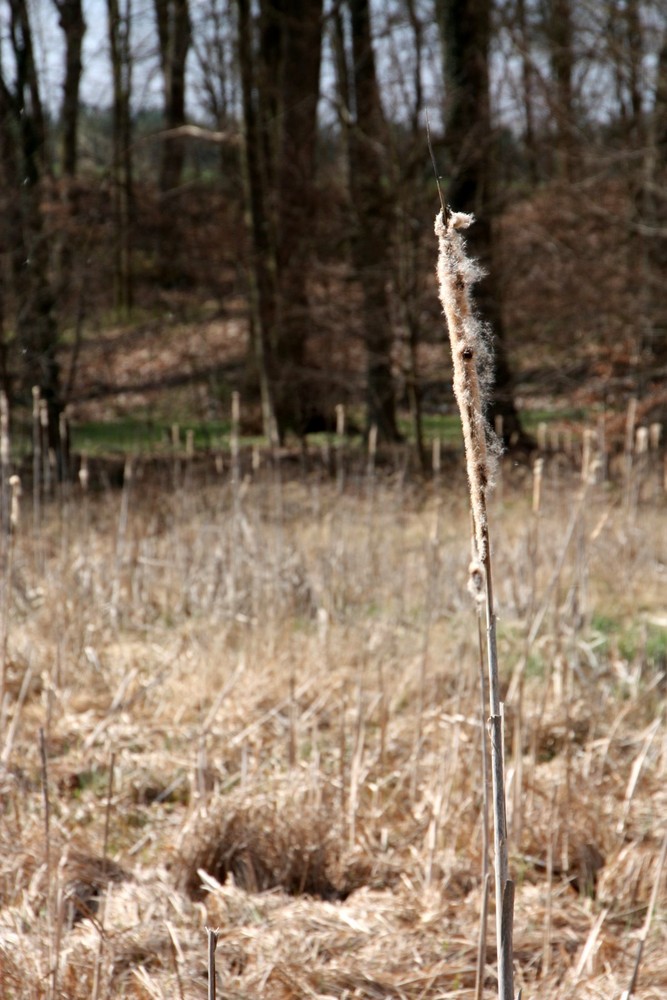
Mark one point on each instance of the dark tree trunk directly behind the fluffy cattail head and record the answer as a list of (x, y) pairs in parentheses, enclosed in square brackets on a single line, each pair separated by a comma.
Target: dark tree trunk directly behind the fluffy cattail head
[(465, 27)]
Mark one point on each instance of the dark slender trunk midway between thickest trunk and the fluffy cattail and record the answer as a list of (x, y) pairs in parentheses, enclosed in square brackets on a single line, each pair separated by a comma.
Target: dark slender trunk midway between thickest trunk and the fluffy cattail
[(368, 148)]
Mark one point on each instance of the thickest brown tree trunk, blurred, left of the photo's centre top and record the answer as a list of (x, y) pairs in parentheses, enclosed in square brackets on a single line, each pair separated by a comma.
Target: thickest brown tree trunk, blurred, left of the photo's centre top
[(280, 87)]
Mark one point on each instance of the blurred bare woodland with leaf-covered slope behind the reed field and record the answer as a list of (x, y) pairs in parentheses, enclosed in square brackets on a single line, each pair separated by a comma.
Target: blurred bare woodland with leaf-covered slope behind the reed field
[(262, 169)]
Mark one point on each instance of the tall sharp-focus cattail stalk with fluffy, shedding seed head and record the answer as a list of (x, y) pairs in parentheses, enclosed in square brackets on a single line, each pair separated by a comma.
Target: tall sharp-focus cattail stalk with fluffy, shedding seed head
[(472, 363)]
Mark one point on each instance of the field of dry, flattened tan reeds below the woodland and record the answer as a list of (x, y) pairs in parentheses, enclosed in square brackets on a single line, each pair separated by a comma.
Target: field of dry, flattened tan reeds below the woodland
[(271, 684)]
